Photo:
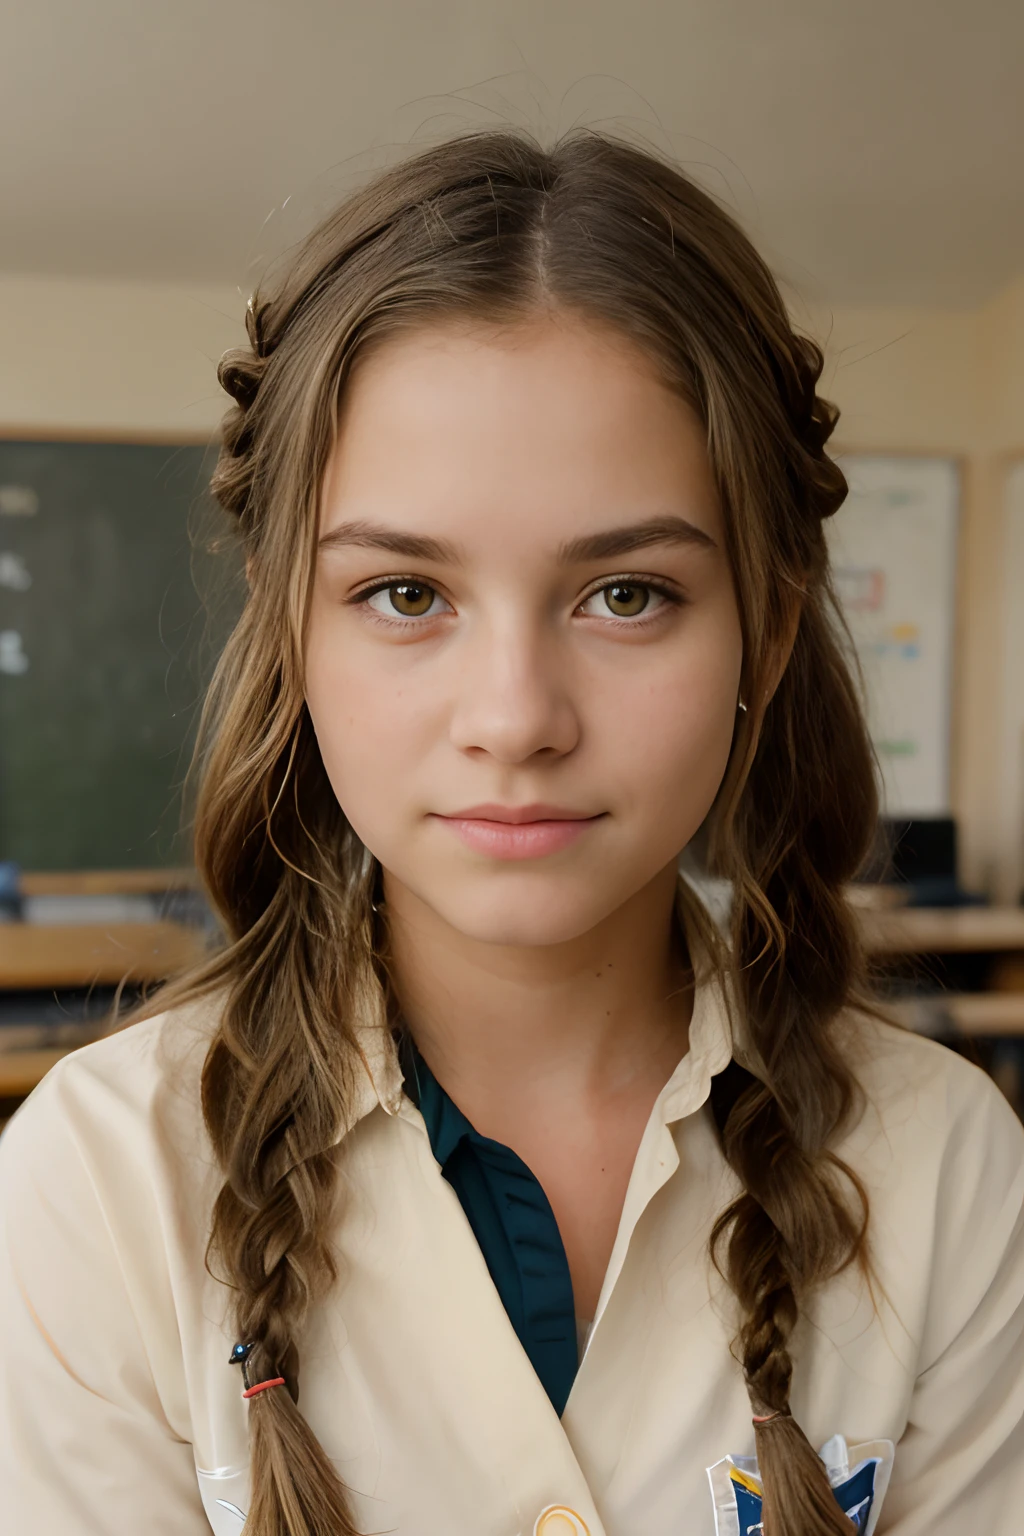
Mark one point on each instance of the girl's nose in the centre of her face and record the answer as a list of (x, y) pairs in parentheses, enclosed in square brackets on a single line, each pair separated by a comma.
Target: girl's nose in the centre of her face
[(514, 695)]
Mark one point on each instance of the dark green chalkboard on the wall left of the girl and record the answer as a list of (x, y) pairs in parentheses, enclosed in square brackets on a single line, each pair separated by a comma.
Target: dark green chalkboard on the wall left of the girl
[(114, 604)]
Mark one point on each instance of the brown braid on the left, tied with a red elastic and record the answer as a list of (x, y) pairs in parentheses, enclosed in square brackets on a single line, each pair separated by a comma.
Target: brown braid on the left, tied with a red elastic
[(274, 1104)]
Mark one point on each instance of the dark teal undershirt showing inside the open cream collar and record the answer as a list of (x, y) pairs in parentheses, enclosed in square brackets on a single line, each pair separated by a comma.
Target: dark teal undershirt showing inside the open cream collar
[(514, 1225)]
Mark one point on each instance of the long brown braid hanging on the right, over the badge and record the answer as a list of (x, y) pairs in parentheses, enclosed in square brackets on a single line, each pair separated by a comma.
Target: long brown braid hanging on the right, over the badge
[(791, 847)]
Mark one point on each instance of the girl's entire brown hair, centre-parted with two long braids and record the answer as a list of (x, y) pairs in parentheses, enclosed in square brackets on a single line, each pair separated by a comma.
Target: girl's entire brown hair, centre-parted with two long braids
[(492, 227)]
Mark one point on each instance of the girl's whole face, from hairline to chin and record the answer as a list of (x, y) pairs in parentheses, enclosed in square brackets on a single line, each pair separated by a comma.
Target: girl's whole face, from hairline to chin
[(524, 646)]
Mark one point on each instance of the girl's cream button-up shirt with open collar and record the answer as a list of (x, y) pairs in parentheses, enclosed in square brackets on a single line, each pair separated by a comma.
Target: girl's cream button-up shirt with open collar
[(121, 1414)]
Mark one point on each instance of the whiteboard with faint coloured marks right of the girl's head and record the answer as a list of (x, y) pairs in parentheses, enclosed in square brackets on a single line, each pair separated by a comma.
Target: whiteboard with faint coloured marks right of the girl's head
[(894, 557)]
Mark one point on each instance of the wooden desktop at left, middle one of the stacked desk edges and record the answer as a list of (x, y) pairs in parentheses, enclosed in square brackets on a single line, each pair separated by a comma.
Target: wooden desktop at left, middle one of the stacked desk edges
[(94, 955)]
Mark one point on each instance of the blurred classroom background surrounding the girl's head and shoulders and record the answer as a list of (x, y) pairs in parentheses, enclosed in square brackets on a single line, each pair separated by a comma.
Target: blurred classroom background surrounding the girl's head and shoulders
[(156, 157)]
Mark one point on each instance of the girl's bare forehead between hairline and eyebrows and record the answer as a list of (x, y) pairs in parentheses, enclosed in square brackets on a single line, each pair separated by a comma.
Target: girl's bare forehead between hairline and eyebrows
[(552, 423)]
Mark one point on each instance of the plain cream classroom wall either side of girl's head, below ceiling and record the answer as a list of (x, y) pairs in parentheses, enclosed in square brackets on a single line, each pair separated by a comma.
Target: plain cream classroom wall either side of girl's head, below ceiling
[(139, 359)]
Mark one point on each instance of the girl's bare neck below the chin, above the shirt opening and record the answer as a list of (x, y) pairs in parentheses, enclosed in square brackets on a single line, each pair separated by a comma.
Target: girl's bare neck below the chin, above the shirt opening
[(580, 1025)]
